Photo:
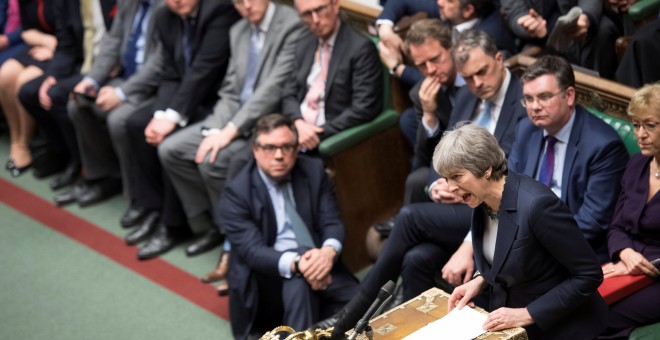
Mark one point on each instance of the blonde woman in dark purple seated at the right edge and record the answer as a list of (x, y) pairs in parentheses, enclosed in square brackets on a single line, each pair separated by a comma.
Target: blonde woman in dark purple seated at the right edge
[(634, 236)]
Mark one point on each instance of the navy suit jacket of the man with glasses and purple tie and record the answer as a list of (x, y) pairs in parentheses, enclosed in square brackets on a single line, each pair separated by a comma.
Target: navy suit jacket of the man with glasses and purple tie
[(595, 161)]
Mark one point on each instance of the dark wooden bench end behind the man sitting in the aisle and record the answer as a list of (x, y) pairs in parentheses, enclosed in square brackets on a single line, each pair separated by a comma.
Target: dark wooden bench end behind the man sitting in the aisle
[(369, 180)]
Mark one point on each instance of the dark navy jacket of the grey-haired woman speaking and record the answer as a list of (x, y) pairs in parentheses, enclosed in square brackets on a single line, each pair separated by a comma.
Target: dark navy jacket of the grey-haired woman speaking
[(541, 262)]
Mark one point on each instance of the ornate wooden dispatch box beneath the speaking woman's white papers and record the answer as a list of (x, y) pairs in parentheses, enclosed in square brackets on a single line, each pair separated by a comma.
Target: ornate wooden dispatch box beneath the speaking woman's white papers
[(416, 313)]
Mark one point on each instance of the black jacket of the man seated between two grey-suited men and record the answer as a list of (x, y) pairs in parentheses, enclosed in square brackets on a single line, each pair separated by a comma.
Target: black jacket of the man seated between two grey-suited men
[(189, 92)]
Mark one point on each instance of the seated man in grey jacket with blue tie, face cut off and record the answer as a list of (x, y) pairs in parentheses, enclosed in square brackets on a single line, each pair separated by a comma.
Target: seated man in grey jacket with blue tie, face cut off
[(128, 45)]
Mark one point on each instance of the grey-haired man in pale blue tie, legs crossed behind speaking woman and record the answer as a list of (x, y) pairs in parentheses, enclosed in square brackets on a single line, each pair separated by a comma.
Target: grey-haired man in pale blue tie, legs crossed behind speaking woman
[(425, 234)]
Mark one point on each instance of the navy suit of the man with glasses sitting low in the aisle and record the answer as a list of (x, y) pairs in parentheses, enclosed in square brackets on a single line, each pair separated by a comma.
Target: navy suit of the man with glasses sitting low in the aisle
[(248, 218)]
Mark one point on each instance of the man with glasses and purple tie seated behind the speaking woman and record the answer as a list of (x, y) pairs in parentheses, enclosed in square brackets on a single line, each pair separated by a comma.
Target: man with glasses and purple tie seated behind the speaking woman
[(580, 157)]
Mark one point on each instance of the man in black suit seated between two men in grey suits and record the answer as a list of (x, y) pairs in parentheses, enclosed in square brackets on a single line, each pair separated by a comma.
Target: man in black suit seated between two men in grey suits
[(194, 48)]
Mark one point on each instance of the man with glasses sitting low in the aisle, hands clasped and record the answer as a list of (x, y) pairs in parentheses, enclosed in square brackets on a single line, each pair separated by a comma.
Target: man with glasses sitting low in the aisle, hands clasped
[(281, 217)]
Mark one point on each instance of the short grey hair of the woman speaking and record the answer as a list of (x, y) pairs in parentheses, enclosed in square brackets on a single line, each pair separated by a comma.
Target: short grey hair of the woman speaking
[(471, 147)]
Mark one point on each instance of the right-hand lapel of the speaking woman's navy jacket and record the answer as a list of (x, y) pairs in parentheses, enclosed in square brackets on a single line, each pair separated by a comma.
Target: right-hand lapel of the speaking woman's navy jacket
[(507, 228)]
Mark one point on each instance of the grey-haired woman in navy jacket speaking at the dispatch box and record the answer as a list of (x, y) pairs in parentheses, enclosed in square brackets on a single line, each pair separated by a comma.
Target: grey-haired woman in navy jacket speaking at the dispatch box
[(540, 270)]
